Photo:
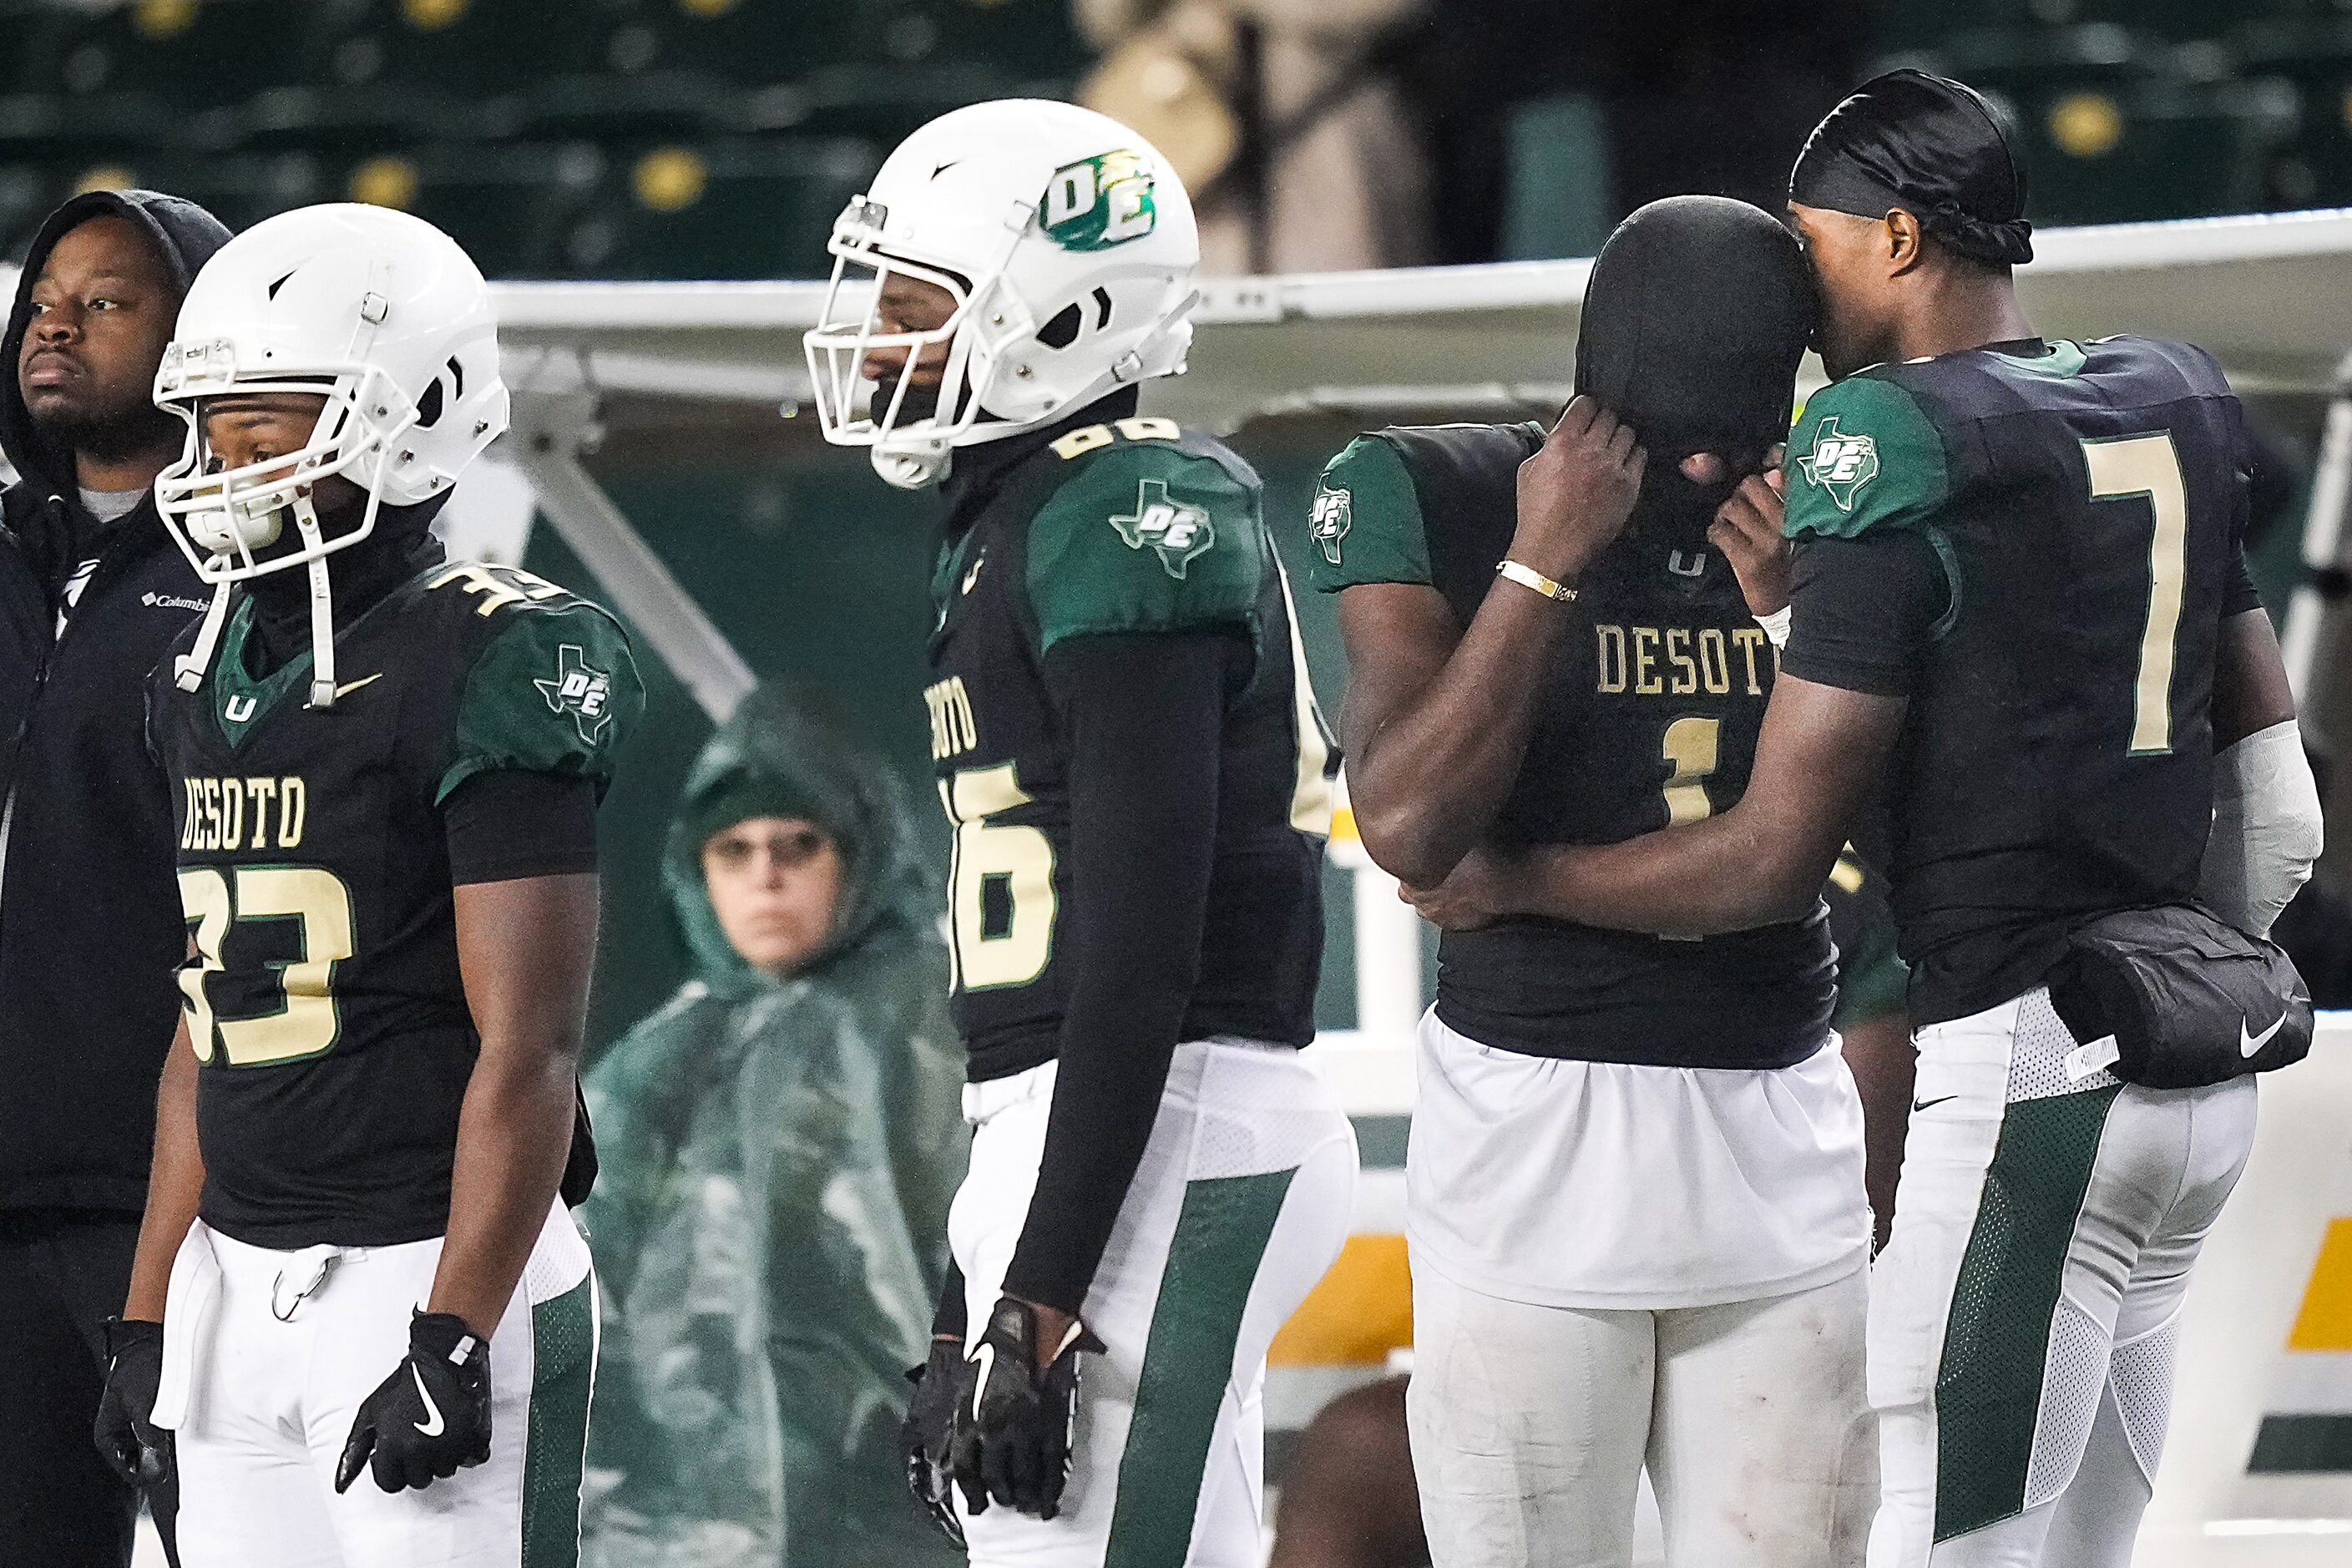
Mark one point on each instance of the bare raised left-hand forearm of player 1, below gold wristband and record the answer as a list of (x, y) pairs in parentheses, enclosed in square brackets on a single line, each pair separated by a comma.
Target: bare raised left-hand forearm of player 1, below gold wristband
[(1429, 782)]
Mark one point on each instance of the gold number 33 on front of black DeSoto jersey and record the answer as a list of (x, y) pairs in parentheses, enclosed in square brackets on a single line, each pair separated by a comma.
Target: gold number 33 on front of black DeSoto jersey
[(309, 1021)]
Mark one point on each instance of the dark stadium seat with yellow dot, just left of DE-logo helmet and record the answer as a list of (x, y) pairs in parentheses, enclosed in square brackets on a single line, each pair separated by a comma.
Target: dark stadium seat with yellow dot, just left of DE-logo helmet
[(721, 210)]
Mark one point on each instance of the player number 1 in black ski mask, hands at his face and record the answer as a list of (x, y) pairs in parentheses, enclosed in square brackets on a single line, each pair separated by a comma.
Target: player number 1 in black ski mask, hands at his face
[(1636, 1184)]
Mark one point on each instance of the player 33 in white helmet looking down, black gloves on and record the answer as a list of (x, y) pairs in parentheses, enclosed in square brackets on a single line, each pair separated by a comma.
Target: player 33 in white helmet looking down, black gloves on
[(385, 770)]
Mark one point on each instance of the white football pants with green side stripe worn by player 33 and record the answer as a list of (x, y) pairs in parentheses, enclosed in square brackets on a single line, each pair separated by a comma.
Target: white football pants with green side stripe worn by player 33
[(269, 1358)]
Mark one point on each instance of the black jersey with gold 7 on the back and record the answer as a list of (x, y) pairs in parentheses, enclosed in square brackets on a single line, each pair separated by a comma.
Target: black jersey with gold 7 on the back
[(2085, 507)]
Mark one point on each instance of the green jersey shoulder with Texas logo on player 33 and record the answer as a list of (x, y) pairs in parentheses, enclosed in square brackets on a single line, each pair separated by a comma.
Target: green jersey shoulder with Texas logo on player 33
[(552, 690)]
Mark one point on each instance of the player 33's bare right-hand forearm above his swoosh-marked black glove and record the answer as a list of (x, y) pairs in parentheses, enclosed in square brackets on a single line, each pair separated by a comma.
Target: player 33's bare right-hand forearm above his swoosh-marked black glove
[(512, 1146)]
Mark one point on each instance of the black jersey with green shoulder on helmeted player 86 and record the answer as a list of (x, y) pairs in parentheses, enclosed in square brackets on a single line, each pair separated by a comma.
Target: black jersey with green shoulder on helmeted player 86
[(1130, 525)]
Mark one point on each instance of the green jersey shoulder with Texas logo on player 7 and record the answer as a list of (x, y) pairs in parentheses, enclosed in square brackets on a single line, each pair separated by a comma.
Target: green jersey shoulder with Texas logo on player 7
[(1864, 455)]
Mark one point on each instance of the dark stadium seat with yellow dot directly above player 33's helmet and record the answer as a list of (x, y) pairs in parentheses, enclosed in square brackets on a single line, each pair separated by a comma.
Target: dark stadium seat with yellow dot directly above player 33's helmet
[(509, 206)]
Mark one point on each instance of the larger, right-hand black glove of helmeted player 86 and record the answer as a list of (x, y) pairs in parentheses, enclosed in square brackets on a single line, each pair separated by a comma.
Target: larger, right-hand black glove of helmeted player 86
[(1015, 1426)]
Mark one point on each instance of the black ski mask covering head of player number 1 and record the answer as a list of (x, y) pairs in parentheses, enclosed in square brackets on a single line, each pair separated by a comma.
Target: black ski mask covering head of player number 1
[(1695, 321)]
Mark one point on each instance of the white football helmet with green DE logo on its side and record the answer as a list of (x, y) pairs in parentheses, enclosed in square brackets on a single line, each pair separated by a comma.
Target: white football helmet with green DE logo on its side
[(1069, 248)]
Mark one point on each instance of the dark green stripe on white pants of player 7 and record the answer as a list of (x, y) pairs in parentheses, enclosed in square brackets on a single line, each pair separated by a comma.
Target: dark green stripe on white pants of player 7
[(1996, 1343)]
